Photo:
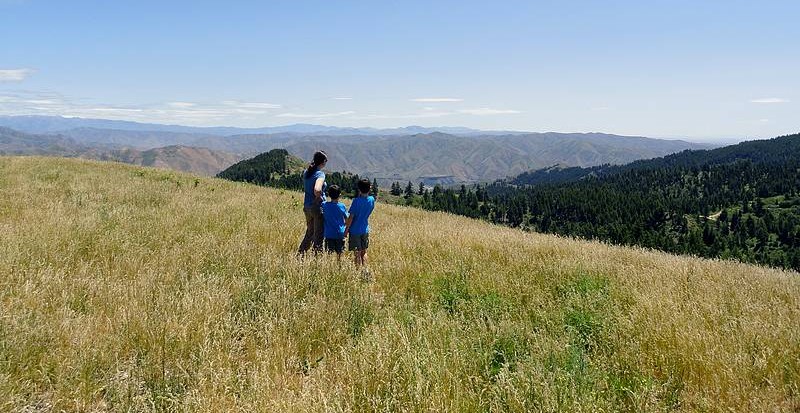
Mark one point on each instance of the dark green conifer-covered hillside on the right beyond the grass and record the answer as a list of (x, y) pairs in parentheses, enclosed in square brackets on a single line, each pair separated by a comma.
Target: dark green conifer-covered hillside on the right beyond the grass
[(740, 202)]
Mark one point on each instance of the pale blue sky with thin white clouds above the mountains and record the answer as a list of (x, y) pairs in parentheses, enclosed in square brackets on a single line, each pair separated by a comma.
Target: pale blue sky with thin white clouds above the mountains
[(701, 70)]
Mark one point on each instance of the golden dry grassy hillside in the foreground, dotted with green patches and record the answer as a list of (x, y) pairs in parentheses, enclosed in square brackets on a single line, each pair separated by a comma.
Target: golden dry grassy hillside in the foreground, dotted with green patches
[(124, 288)]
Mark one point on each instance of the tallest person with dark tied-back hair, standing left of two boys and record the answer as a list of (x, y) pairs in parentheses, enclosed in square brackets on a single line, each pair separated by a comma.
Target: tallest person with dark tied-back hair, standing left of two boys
[(314, 187)]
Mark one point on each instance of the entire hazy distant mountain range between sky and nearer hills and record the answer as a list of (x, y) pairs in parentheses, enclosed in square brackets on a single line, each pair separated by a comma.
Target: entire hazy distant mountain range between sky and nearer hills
[(430, 155)]
